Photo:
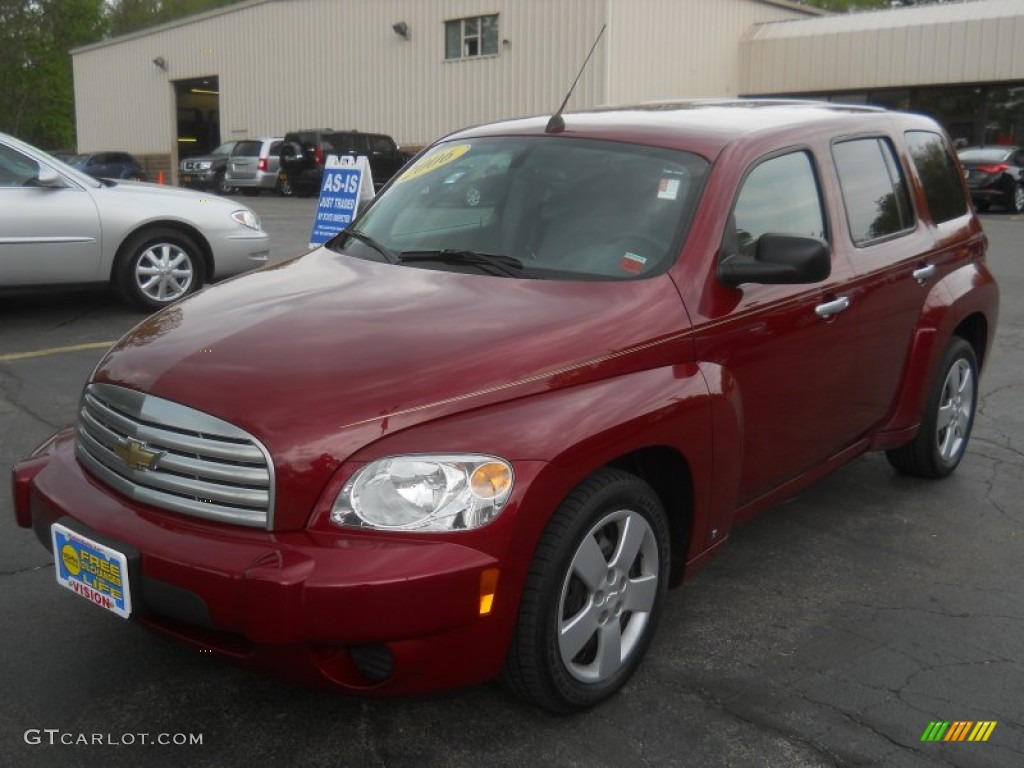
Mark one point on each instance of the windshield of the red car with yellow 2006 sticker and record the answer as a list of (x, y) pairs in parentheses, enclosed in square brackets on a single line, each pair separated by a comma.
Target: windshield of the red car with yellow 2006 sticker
[(549, 207)]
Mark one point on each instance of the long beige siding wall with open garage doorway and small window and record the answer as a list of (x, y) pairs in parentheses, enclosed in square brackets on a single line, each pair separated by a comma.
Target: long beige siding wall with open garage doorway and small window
[(303, 64)]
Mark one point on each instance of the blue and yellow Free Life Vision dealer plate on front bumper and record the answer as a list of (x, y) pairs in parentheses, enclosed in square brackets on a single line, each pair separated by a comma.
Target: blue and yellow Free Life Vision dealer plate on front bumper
[(92, 571)]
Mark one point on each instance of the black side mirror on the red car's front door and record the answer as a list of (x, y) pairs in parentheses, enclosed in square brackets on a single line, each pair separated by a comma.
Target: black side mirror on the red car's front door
[(779, 260)]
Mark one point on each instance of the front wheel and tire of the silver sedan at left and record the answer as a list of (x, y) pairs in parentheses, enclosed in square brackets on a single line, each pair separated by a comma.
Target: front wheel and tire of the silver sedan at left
[(157, 268)]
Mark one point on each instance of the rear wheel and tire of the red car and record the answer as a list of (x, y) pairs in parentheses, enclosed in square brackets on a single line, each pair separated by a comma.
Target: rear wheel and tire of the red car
[(946, 430)]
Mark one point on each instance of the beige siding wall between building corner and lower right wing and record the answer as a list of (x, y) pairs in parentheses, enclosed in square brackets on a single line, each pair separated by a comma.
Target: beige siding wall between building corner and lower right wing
[(665, 50)]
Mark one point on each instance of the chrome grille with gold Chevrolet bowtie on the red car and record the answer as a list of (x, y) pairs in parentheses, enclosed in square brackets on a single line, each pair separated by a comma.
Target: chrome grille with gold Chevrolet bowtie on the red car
[(174, 457)]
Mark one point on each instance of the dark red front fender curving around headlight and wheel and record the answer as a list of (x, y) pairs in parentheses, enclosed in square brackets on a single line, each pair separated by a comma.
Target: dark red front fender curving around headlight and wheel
[(559, 439)]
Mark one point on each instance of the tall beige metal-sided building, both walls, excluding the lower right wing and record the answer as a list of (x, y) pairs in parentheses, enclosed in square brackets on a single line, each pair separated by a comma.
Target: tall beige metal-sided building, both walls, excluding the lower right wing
[(414, 69)]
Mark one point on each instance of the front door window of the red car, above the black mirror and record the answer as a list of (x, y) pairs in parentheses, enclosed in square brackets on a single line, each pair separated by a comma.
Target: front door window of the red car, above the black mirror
[(780, 196)]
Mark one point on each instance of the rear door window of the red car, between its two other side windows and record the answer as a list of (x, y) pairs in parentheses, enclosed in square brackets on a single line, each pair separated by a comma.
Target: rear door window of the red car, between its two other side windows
[(874, 190)]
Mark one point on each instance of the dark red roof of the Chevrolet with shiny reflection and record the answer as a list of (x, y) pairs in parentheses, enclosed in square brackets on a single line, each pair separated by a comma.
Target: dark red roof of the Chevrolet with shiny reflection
[(707, 126)]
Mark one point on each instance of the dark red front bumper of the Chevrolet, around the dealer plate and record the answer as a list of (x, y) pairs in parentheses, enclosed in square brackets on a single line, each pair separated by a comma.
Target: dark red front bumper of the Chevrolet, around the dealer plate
[(367, 614)]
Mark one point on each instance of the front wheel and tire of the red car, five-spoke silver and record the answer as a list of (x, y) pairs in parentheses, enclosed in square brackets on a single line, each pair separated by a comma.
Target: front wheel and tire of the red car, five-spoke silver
[(595, 590)]
